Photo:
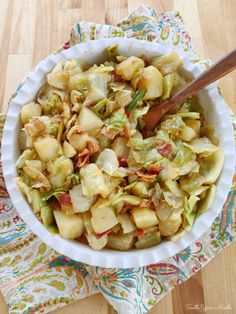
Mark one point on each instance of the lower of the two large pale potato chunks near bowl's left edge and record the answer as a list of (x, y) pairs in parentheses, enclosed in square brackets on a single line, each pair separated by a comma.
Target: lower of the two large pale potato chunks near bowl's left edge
[(47, 148)]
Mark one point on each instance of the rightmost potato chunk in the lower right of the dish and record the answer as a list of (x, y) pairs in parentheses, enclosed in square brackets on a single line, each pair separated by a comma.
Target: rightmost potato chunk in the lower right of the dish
[(170, 225)]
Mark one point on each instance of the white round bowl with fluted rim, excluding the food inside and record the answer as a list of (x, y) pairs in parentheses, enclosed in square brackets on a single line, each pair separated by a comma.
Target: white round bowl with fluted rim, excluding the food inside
[(215, 110)]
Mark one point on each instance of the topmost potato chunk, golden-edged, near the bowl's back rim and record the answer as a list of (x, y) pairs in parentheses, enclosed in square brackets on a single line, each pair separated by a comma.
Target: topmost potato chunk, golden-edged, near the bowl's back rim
[(127, 68)]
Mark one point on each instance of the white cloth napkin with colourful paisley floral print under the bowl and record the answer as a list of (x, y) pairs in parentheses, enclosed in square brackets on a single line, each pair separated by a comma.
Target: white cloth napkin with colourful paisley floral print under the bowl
[(36, 279)]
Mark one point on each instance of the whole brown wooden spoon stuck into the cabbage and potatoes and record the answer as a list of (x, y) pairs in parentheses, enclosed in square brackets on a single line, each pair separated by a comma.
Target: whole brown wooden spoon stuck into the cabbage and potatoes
[(216, 71)]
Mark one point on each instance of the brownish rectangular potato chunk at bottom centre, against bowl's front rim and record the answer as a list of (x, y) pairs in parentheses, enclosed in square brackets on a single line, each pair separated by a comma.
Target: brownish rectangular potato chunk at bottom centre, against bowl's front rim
[(122, 242)]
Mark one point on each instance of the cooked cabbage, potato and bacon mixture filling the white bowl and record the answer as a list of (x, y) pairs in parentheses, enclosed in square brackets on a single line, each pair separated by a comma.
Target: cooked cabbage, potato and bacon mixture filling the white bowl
[(91, 171)]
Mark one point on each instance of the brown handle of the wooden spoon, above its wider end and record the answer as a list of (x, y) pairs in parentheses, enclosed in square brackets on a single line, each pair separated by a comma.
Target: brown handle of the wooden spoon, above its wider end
[(216, 71)]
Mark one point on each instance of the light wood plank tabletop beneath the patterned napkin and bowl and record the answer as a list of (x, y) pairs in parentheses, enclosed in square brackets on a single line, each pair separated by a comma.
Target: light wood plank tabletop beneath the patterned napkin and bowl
[(31, 29)]
